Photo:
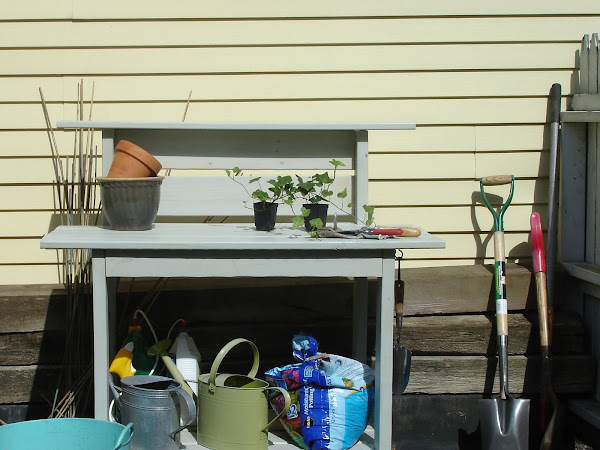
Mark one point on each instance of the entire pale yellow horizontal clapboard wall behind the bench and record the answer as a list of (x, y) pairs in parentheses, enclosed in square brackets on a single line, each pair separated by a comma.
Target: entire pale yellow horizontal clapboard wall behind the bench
[(474, 77)]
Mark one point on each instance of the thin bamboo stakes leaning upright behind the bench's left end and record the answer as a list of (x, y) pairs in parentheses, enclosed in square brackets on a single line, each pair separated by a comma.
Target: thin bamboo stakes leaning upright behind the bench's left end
[(75, 203)]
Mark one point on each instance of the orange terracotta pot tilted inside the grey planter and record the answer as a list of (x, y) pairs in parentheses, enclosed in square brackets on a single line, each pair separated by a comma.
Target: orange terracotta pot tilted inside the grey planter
[(131, 161)]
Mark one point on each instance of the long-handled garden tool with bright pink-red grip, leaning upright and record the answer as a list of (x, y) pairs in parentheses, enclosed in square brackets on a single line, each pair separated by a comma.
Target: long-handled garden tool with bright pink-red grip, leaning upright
[(550, 427)]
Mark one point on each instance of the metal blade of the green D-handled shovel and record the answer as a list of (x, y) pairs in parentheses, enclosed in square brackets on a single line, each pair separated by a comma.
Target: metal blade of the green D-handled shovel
[(504, 423)]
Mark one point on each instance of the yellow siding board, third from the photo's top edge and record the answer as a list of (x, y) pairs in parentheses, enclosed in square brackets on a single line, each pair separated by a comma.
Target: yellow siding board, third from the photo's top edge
[(110, 61)]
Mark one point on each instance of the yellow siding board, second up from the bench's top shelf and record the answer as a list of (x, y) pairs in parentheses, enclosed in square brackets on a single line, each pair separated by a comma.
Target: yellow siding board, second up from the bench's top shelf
[(291, 86)]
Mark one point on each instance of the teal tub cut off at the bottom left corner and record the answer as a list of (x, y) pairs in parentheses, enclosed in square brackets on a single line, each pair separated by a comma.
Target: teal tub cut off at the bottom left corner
[(65, 434)]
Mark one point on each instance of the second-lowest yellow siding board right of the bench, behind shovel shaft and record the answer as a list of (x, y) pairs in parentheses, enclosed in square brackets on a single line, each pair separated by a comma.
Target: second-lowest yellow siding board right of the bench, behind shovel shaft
[(444, 219)]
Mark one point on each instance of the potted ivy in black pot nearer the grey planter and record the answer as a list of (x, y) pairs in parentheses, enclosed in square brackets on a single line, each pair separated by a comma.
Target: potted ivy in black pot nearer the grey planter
[(265, 202)]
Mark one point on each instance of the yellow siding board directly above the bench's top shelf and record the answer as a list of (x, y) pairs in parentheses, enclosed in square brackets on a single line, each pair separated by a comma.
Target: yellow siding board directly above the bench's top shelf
[(423, 112)]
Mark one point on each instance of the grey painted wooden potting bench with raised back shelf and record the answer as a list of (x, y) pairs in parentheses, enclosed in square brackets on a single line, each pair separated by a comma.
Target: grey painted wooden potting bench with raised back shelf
[(179, 249)]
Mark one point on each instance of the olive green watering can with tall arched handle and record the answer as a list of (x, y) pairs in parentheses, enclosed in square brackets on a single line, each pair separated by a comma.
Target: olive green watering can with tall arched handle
[(233, 409)]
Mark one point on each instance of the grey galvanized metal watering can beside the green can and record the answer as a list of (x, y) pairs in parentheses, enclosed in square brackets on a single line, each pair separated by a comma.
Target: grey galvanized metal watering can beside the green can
[(155, 405)]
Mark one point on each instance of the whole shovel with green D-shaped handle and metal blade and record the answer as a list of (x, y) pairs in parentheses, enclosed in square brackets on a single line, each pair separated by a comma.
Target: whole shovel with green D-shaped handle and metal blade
[(504, 420)]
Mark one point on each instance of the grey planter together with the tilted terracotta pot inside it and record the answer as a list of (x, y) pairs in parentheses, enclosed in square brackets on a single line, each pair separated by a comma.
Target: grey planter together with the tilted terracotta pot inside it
[(131, 190)]
